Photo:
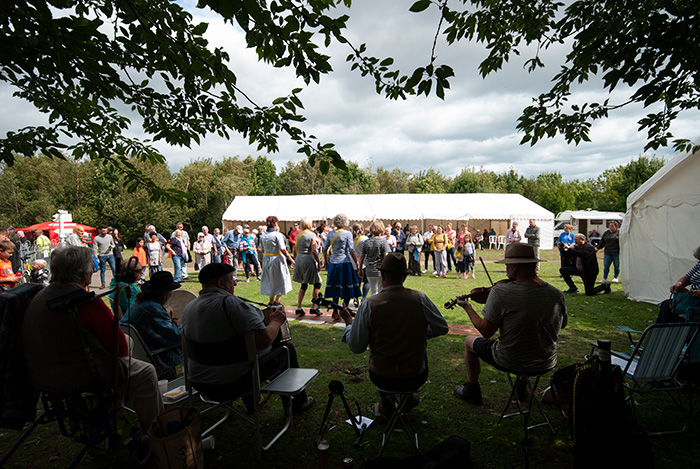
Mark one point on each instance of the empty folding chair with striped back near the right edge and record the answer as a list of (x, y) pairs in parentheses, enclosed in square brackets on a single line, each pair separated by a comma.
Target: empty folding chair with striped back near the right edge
[(653, 363)]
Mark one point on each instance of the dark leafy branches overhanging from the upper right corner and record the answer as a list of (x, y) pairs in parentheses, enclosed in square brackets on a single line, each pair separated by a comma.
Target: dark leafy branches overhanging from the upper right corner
[(646, 46)]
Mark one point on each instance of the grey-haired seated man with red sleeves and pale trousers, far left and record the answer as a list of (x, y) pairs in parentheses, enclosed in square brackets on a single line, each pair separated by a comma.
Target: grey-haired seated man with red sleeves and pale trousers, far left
[(54, 354)]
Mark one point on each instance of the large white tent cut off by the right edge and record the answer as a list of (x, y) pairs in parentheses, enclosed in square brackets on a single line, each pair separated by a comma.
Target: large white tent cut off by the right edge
[(660, 230)]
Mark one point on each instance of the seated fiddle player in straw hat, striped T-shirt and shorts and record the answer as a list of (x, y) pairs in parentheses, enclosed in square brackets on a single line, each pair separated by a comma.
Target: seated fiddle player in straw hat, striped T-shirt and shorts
[(528, 314)]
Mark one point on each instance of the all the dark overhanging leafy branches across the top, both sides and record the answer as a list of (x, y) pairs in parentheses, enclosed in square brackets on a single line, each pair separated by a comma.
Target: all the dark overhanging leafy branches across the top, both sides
[(84, 62)]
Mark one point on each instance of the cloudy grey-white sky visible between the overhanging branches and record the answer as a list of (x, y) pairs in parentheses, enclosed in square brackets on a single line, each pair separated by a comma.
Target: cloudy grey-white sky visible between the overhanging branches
[(474, 126)]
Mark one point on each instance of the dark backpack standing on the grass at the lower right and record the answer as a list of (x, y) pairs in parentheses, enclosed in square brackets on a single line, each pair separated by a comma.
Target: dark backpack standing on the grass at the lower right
[(603, 430)]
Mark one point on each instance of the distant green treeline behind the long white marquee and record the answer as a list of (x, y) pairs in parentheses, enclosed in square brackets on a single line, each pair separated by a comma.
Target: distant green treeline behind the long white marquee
[(33, 189)]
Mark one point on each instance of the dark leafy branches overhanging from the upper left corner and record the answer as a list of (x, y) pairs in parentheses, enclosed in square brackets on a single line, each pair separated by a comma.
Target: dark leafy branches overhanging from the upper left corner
[(79, 61)]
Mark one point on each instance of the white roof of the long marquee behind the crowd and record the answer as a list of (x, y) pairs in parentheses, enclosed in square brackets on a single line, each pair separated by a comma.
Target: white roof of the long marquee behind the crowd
[(416, 208)]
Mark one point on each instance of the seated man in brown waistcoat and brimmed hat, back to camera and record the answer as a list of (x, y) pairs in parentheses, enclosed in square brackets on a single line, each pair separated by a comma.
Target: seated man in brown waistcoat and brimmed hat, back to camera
[(396, 324)]
